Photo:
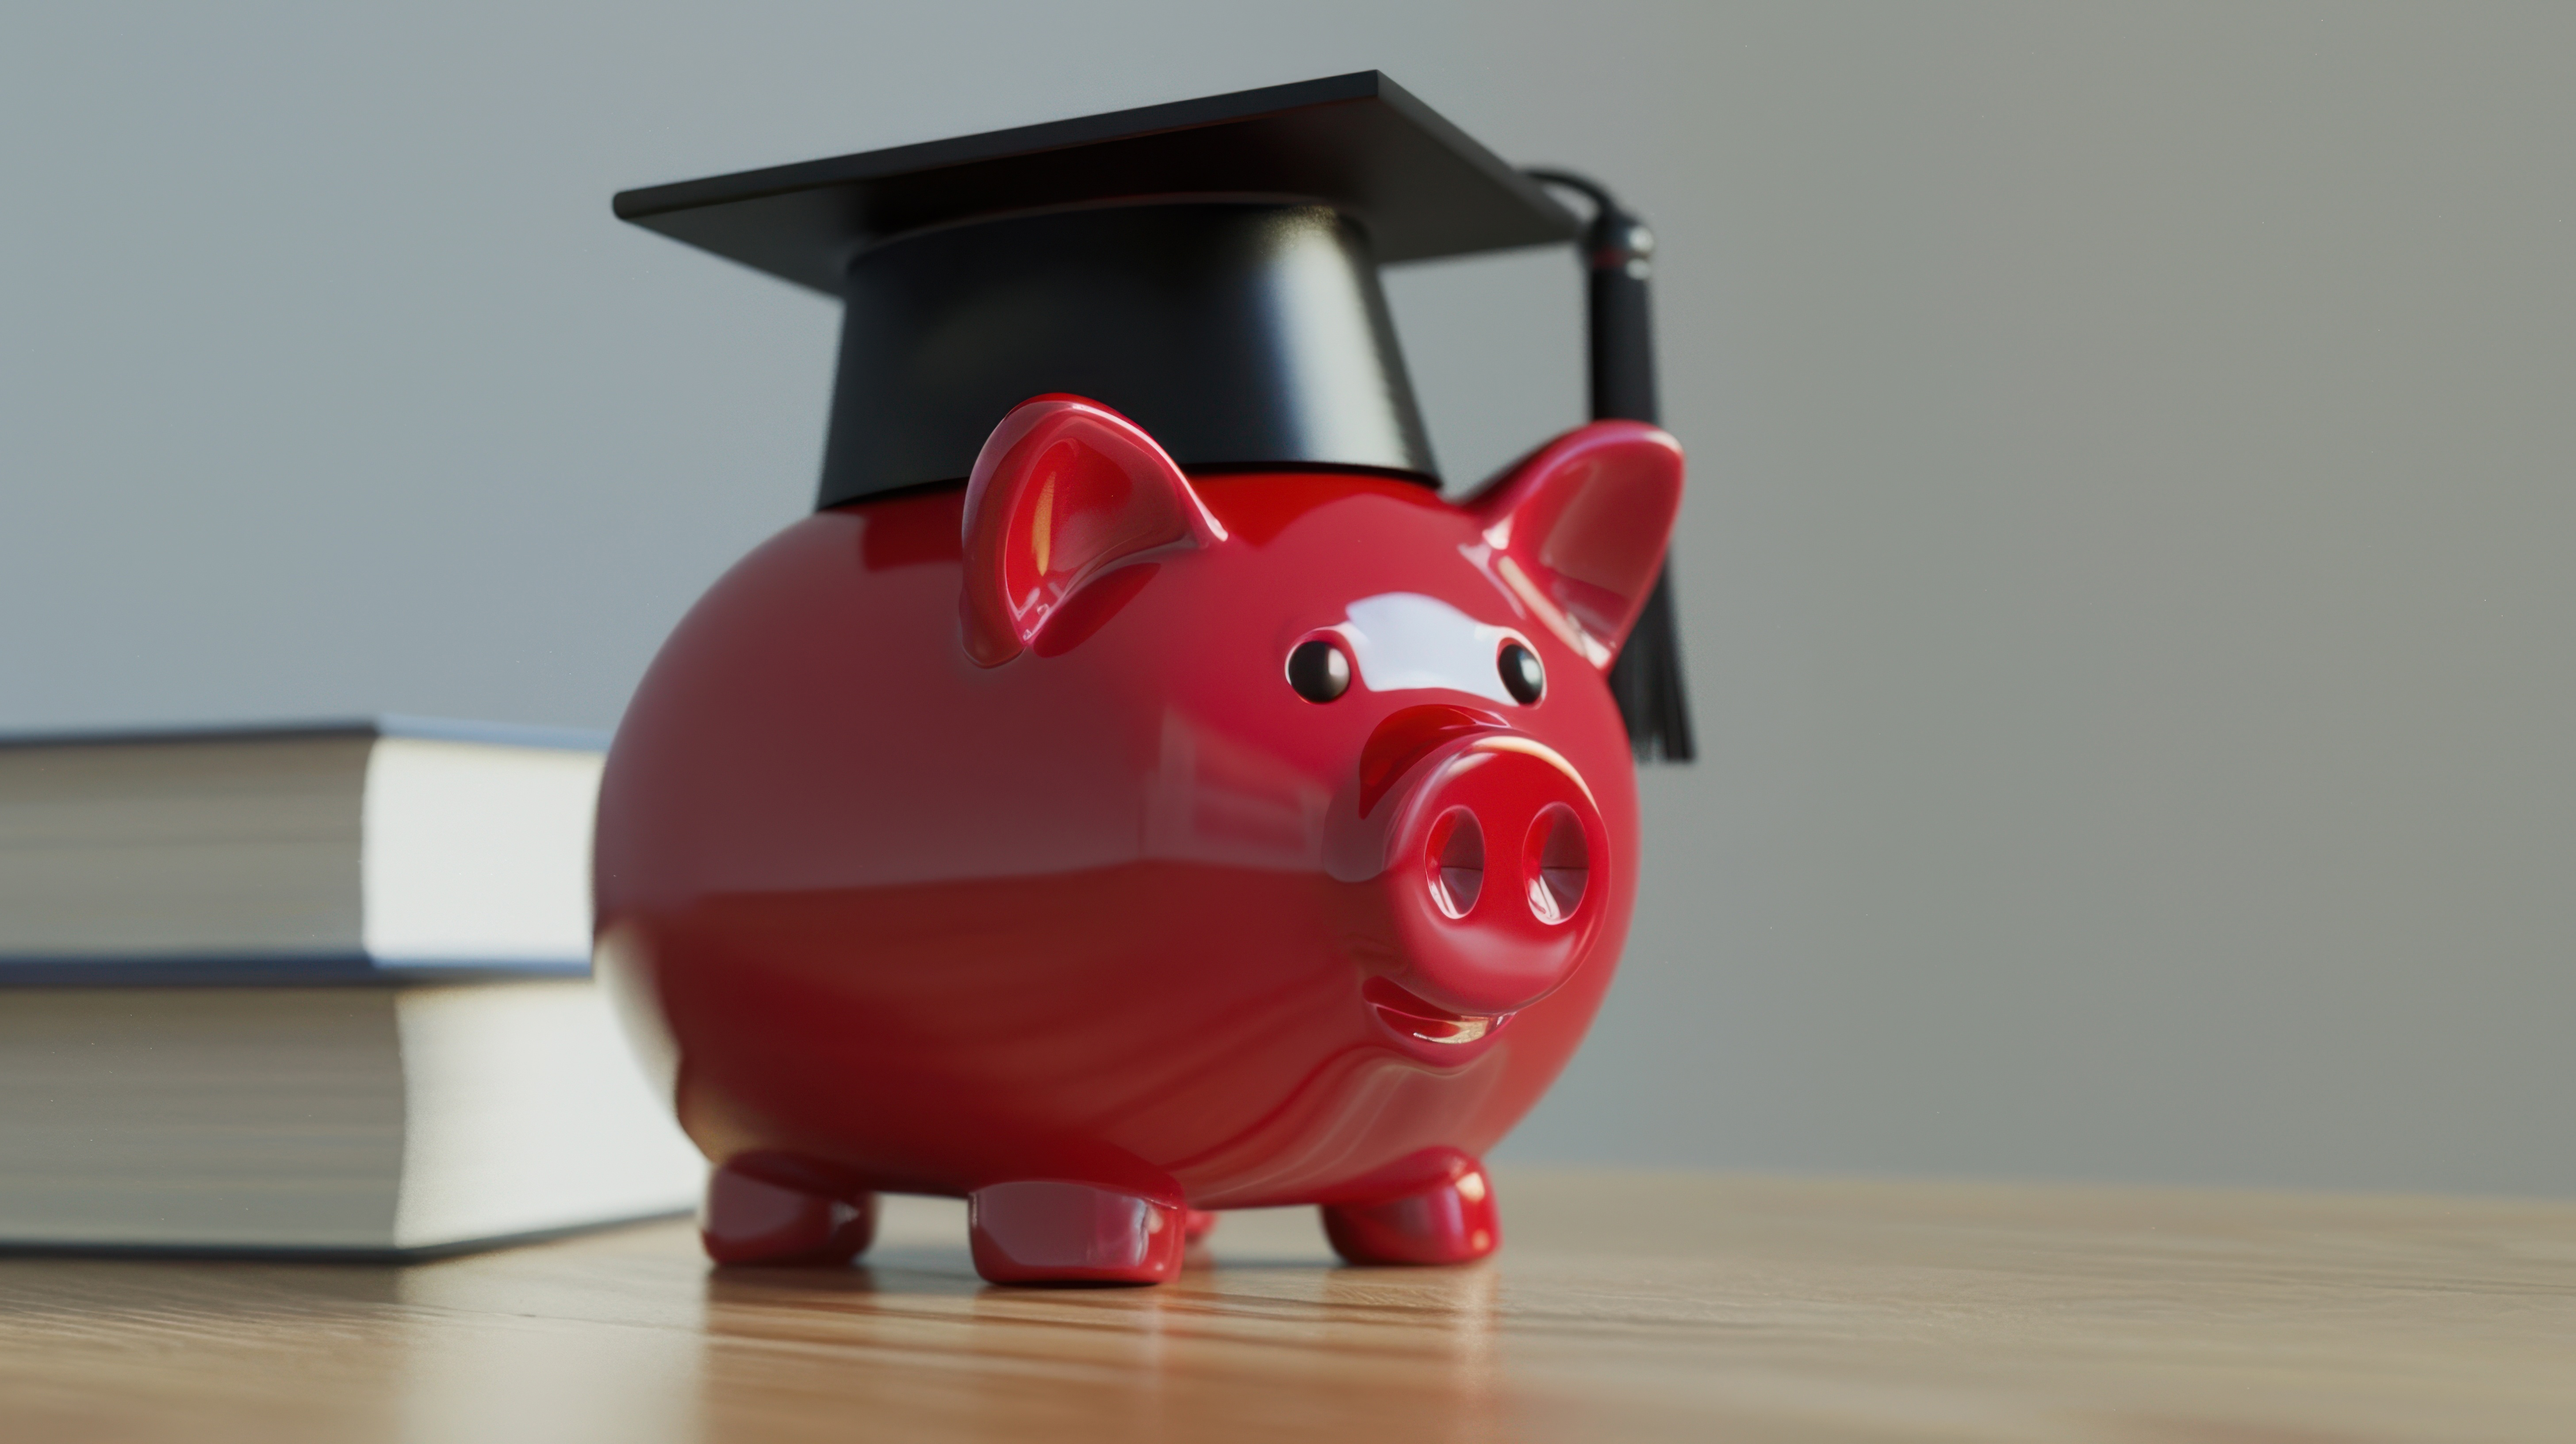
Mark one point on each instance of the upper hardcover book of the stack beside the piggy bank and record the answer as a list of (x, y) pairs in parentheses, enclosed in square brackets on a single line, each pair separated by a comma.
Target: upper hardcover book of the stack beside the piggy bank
[(295, 855)]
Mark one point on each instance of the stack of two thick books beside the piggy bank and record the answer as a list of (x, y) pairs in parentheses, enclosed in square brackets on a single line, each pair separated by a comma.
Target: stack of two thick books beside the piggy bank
[(313, 989)]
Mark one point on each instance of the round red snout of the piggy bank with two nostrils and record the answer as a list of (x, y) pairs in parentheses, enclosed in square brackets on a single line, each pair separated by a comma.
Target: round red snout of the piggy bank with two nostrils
[(1495, 875)]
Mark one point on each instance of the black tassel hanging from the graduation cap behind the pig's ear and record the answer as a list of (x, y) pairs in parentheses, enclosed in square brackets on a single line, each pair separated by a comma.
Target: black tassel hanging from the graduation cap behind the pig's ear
[(1647, 677)]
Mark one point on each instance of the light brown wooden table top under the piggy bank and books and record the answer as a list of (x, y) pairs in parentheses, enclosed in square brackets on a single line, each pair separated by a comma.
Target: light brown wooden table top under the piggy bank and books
[(1624, 1306)]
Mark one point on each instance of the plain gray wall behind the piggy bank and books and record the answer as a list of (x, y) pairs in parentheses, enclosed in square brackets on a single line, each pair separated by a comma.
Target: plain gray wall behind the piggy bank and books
[(2126, 576)]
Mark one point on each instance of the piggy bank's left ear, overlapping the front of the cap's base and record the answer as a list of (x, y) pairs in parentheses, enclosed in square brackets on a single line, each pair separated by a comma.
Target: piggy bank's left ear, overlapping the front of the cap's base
[(1063, 494)]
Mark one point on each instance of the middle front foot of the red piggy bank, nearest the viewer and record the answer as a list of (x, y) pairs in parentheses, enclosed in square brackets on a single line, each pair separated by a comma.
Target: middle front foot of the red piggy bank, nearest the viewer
[(1073, 1234)]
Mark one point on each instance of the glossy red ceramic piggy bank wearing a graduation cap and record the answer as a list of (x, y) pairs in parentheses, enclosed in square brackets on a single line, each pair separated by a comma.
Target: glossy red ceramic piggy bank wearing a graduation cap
[(1109, 847)]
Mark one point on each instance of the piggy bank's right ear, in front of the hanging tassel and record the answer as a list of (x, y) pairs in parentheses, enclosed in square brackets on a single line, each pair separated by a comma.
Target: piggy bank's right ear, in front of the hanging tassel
[(1578, 530)]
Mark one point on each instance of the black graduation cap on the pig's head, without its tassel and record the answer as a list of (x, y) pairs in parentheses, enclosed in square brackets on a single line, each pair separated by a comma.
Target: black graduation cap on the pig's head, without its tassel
[(1204, 267)]
